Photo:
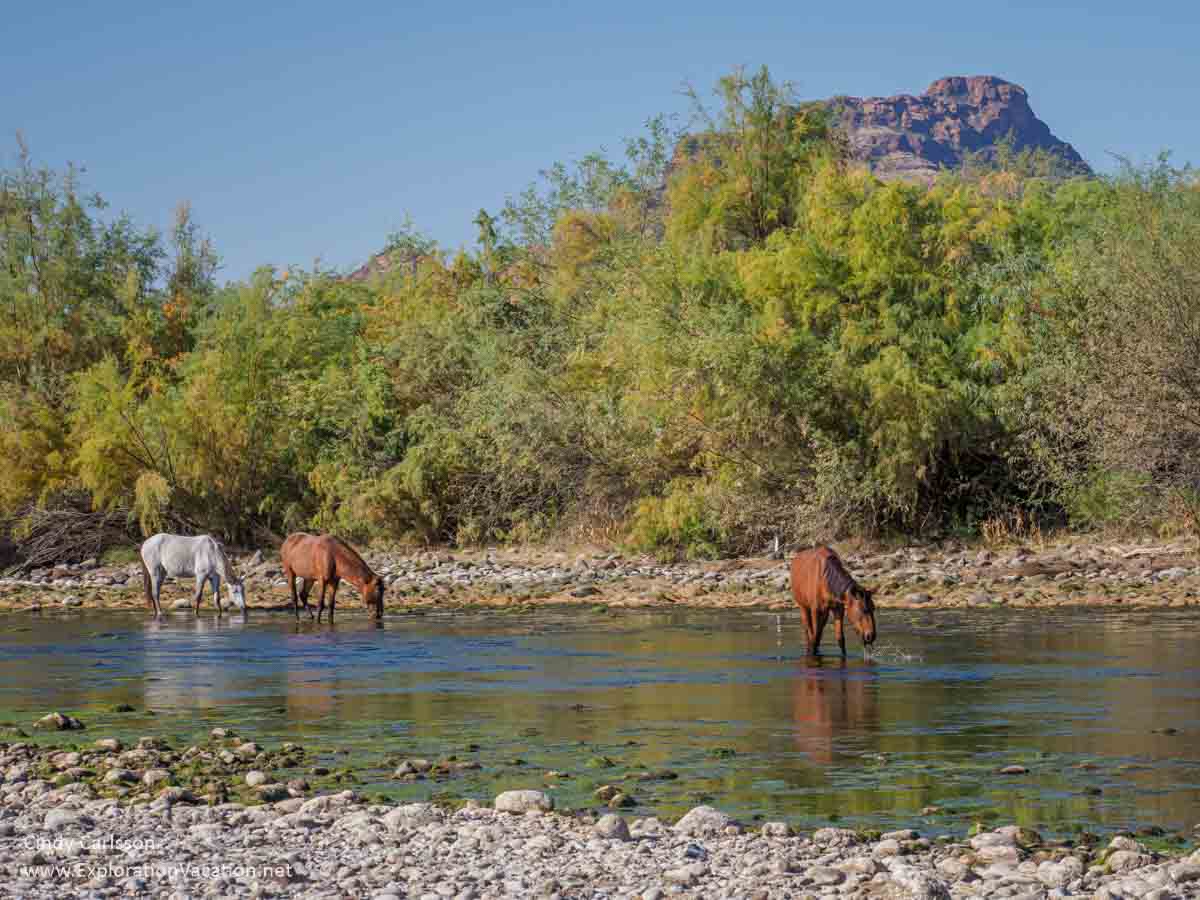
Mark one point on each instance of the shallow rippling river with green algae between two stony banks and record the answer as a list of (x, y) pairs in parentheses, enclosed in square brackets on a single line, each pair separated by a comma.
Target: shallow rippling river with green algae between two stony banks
[(1102, 709)]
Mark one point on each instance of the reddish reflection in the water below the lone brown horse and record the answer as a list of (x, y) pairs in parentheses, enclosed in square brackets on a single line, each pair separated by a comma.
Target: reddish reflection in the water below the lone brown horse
[(831, 700)]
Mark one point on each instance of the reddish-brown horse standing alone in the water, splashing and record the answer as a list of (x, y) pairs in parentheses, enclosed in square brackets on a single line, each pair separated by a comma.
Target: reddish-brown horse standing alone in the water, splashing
[(823, 587)]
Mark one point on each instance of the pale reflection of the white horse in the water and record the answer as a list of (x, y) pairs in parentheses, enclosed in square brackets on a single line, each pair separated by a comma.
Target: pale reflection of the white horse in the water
[(183, 676)]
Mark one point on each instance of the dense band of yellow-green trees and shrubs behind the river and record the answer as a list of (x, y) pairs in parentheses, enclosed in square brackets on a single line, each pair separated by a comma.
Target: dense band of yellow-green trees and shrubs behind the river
[(733, 337)]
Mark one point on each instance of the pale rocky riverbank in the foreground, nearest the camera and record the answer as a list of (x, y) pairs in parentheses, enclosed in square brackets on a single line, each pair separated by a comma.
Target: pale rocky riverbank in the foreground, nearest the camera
[(109, 821)]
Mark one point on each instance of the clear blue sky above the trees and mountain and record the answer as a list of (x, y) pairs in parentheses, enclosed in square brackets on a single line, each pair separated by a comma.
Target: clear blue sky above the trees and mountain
[(302, 131)]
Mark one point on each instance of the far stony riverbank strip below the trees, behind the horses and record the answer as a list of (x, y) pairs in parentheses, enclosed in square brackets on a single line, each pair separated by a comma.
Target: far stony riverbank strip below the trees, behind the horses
[(1071, 573)]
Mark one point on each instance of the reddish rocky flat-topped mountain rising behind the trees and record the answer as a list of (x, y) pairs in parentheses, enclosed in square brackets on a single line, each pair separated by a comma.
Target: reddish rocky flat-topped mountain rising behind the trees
[(914, 137)]
